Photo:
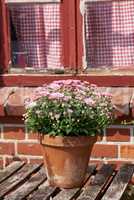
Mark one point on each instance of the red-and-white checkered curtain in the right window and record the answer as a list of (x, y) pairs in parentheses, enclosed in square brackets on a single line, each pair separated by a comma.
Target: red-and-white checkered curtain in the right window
[(109, 33)]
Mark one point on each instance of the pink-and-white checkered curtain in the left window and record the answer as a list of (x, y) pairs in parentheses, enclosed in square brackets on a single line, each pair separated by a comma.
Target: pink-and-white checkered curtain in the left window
[(38, 33)]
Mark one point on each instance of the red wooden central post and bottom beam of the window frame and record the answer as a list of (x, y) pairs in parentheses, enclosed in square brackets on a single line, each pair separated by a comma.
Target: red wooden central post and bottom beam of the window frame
[(73, 52)]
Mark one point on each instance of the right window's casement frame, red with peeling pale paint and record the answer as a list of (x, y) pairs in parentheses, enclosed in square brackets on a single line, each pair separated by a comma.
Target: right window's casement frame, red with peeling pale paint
[(81, 48)]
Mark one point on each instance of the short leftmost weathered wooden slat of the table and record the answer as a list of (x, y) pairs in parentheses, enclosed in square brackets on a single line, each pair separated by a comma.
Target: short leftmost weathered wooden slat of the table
[(10, 169)]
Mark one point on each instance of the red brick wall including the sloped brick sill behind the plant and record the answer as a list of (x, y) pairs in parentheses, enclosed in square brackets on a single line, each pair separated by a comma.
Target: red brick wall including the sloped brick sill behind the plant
[(117, 145)]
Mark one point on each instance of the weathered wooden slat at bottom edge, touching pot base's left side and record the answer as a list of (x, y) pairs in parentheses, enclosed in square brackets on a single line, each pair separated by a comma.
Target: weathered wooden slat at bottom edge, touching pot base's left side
[(44, 192)]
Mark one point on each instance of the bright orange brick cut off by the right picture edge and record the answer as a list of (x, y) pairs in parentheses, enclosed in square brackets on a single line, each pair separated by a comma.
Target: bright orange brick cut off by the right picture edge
[(127, 151)]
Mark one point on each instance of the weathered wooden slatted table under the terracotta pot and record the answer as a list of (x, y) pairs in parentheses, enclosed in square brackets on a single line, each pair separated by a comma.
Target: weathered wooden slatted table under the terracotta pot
[(29, 182)]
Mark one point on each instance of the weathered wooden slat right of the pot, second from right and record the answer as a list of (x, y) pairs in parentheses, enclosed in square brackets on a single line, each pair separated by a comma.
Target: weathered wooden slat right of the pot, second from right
[(93, 189)]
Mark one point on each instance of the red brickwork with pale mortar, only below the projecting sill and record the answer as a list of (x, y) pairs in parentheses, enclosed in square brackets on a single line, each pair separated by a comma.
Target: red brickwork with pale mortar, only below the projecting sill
[(117, 145)]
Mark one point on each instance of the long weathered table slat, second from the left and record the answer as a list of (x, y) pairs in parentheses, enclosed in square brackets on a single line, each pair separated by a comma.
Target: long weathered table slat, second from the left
[(18, 178)]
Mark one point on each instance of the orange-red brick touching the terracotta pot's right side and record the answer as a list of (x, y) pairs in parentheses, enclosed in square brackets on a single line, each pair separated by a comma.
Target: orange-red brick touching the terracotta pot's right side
[(102, 150)]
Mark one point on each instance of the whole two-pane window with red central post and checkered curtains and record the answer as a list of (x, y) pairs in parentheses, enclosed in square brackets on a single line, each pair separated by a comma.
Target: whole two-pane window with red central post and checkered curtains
[(47, 34)]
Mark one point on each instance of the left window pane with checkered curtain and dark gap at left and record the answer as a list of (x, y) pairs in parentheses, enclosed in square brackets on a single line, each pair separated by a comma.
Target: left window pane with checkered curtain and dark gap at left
[(36, 35)]
